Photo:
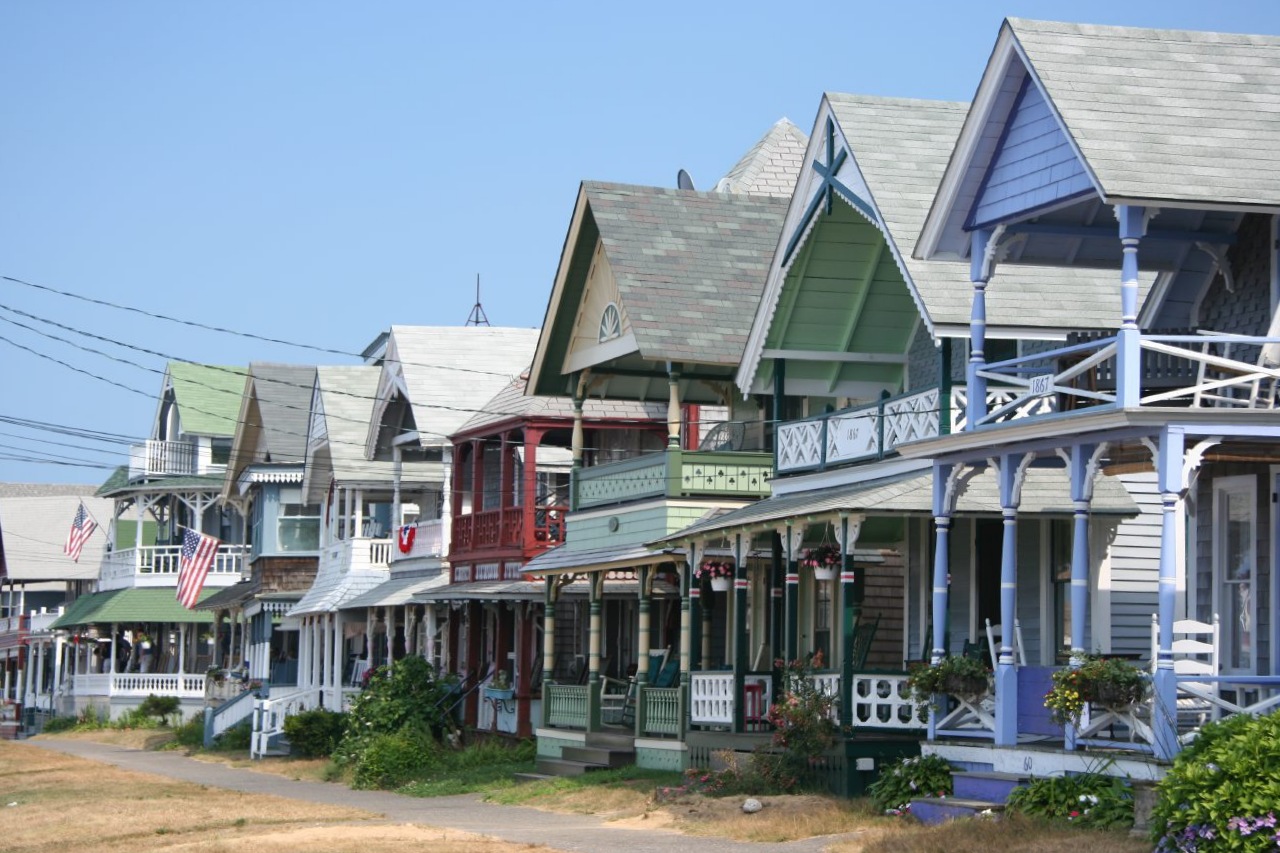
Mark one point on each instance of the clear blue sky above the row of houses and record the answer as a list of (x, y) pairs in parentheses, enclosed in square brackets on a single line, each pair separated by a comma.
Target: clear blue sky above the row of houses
[(318, 172)]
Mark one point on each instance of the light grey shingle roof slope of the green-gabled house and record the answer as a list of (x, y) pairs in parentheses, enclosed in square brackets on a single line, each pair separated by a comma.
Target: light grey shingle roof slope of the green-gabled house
[(903, 148)]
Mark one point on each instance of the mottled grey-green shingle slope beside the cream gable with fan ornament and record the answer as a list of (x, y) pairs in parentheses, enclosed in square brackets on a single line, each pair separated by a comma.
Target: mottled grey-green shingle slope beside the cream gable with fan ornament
[(689, 266)]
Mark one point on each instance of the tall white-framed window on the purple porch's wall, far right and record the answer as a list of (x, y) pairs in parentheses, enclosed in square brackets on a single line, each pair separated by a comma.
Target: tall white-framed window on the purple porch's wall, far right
[(1235, 569)]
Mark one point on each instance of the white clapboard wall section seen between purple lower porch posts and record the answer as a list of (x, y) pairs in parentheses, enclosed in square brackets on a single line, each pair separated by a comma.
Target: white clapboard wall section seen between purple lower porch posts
[(1136, 568)]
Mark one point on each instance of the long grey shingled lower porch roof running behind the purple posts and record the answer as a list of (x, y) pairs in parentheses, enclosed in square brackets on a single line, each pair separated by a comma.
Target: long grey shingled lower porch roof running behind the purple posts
[(1048, 491)]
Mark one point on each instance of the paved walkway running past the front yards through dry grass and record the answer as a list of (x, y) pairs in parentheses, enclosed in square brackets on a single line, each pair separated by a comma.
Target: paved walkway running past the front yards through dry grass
[(465, 813)]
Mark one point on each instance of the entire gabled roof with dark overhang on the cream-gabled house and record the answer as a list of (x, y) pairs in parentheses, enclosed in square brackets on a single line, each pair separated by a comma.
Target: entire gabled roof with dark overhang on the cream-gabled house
[(688, 268)]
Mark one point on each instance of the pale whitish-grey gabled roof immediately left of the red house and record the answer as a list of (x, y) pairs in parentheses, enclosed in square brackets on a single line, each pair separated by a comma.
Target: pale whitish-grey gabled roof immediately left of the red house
[(447, 375)]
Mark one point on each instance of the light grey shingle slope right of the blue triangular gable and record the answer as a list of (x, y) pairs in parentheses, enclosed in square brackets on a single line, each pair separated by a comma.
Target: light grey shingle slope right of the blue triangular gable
[(1164, 113)]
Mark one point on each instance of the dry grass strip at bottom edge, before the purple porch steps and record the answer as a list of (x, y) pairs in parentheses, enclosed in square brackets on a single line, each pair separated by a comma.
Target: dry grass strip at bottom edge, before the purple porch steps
[(1011, 836)]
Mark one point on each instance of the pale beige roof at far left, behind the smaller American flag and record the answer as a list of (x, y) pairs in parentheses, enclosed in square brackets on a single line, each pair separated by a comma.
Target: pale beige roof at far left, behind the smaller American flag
[(34, 530)]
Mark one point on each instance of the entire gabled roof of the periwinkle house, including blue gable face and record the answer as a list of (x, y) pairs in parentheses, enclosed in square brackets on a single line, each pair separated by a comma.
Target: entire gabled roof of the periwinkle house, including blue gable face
[(1158, 118)]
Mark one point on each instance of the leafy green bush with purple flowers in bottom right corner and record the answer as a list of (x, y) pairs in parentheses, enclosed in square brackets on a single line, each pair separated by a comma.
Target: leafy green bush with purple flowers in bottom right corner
[(1223, 792)]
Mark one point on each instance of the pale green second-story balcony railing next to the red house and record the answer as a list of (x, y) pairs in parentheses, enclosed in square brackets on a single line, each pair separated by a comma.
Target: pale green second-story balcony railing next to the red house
[(675, 473)]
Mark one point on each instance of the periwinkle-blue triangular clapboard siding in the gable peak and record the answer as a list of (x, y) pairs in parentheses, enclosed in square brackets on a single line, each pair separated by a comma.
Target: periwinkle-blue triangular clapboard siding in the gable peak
[(1035, 166)]
